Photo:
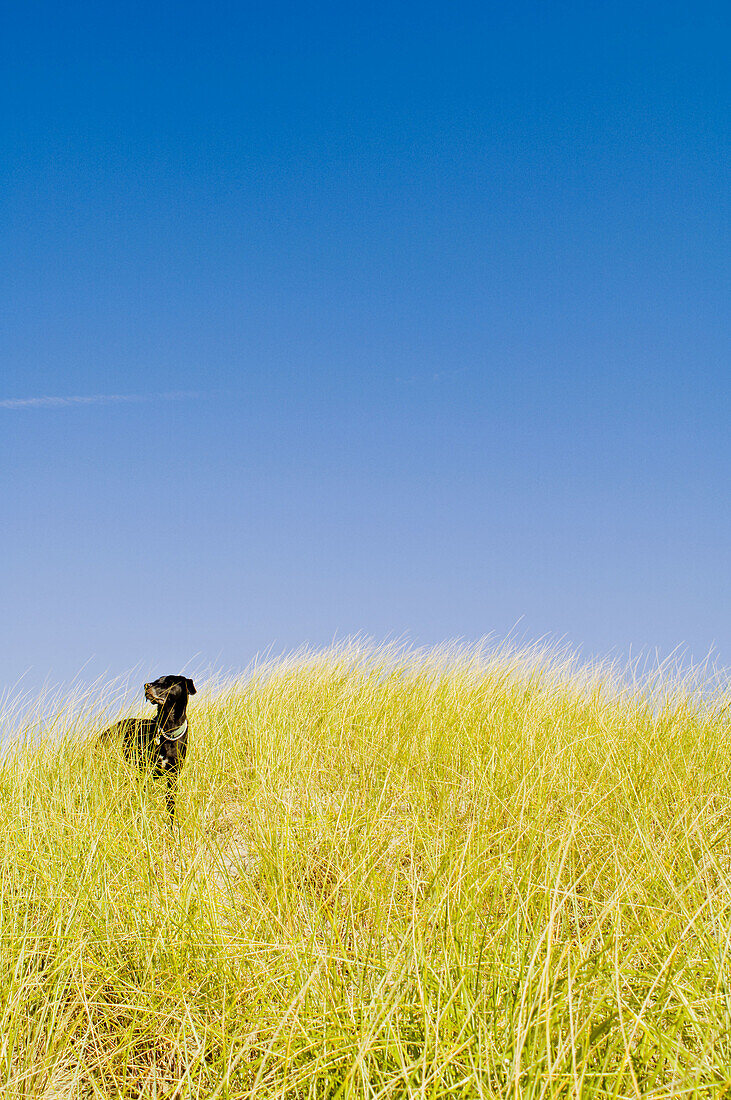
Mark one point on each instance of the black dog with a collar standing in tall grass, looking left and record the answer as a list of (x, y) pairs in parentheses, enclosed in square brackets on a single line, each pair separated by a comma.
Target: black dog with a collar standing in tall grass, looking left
[(160, 744)]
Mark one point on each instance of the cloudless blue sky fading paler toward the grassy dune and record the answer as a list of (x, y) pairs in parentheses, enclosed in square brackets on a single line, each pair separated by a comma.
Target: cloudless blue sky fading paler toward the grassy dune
[(425, 307)]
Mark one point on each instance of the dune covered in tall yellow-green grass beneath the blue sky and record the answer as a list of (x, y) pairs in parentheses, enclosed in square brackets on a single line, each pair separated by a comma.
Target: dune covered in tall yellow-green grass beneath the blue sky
[(394, 875)]
